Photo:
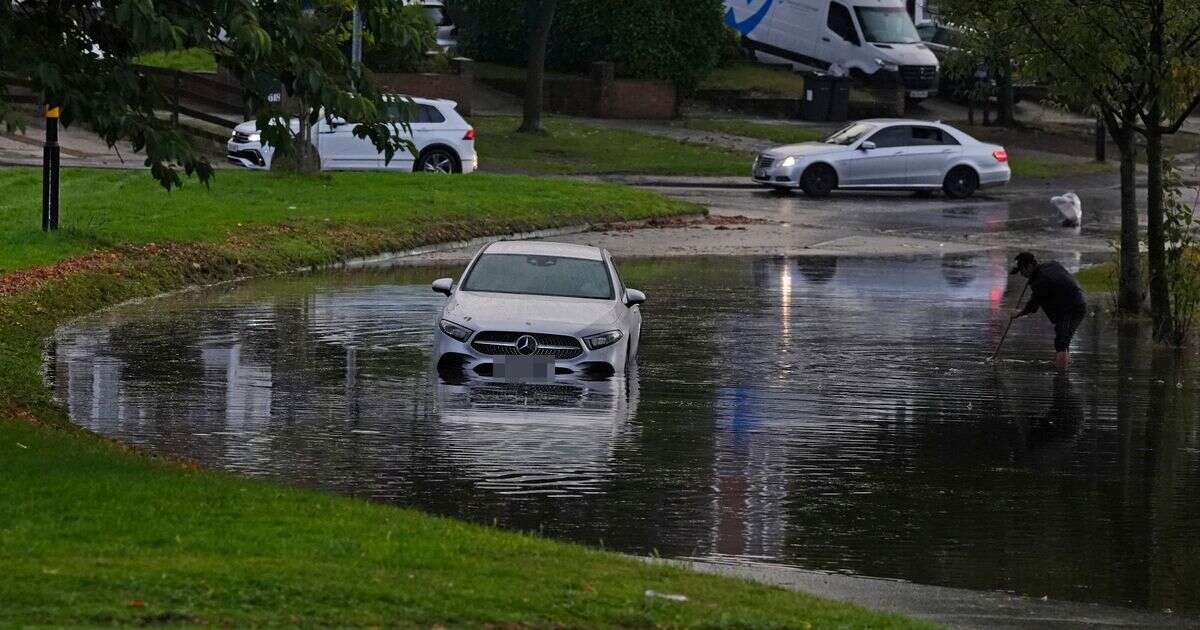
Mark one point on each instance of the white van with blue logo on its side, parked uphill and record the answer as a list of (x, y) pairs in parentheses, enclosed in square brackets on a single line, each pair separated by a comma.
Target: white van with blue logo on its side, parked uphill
[(871, 39)]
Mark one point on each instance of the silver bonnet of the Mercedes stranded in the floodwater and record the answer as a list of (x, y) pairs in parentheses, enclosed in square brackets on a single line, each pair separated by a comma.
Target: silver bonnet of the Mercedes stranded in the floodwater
[(536, 314)]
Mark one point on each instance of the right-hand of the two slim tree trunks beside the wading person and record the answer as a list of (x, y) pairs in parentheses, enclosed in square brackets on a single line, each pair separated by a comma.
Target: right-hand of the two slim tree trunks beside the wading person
[(1156, 239)]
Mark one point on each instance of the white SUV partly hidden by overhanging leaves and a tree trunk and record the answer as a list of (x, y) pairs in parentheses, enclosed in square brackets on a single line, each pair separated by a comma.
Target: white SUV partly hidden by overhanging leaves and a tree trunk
[(445, 141)]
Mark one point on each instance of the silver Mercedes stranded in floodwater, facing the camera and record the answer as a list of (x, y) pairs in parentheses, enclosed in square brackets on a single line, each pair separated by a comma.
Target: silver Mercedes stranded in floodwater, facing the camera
[(536, 310)]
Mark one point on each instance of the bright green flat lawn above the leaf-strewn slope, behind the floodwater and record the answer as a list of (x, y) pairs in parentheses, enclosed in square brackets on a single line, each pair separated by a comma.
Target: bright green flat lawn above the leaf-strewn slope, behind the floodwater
[(104, 209)]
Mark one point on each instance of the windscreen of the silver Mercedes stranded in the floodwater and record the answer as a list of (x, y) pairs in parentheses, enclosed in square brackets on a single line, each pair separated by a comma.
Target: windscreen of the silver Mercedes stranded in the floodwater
[(541, 275)]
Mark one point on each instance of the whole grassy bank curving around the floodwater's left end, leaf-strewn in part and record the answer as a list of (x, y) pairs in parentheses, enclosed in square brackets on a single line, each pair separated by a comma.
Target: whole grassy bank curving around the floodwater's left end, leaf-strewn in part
[(93, 533)]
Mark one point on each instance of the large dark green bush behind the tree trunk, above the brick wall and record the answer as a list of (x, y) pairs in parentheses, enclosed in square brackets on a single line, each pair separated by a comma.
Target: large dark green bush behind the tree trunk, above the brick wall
[(673, 40)]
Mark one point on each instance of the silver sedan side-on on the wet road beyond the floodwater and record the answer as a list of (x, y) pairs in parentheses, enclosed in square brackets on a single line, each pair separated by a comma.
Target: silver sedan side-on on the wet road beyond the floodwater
[(887, 154)]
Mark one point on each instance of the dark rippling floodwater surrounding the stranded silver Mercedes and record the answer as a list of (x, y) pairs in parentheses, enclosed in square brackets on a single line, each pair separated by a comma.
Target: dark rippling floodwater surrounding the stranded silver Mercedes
[(831, 415)]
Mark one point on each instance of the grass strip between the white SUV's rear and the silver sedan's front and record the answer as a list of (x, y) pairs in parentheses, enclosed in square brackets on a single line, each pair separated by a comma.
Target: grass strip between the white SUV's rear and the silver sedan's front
[(573, 147)]
